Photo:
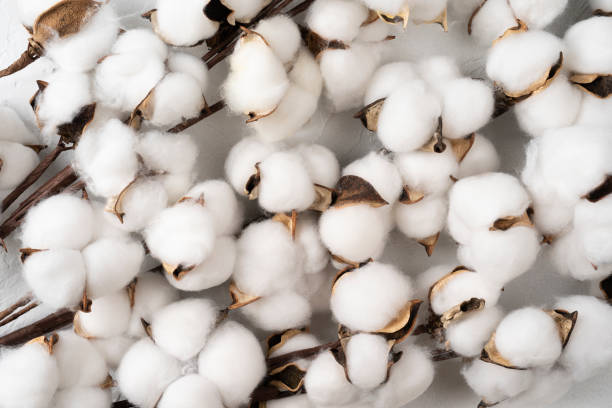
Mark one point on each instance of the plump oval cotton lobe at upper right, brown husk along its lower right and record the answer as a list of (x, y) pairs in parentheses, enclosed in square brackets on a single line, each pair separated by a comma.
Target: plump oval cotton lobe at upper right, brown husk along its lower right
[(522, 59)]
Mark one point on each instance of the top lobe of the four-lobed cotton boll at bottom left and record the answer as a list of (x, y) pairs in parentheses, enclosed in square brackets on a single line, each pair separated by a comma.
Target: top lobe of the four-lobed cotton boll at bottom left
[(182, 328)]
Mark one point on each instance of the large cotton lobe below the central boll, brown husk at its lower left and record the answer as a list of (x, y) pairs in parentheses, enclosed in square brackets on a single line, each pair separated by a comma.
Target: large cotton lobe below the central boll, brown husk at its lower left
[(267, 259)]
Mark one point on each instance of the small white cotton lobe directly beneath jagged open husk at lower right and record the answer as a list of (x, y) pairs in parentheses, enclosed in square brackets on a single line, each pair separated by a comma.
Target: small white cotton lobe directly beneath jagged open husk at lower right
[(468, 335)]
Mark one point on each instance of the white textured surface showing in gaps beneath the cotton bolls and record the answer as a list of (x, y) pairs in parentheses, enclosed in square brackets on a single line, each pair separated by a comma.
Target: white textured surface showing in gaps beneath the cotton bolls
[(345, 136)]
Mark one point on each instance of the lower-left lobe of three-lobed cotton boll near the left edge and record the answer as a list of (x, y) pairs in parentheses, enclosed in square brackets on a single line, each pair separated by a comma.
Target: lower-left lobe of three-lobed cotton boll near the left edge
[(56, 276)]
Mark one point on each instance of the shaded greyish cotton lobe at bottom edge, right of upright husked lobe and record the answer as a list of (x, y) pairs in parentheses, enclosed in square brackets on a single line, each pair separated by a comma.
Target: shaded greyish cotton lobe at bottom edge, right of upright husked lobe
[(408, 378)]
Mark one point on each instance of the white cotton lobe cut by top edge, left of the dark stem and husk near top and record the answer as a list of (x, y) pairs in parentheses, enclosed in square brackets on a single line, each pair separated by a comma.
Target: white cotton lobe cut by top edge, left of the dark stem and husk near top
[(183, 24)]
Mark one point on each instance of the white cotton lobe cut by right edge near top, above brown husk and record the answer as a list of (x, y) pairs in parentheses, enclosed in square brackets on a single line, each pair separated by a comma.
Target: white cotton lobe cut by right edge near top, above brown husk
[(588, 46)]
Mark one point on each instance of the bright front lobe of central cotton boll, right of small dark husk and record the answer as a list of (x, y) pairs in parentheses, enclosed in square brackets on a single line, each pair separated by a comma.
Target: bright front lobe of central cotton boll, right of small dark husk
[(285, 183)]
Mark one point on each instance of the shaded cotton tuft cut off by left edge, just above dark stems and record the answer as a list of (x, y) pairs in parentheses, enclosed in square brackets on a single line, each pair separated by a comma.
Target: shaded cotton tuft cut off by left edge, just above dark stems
[(17, 162)]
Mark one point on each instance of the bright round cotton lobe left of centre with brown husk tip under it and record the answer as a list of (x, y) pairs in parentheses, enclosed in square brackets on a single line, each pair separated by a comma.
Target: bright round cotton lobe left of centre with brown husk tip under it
[(181, 235)]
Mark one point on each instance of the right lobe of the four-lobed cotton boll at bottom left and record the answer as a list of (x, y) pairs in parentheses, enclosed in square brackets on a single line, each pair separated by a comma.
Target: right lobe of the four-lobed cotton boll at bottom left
[(236, 350)]
